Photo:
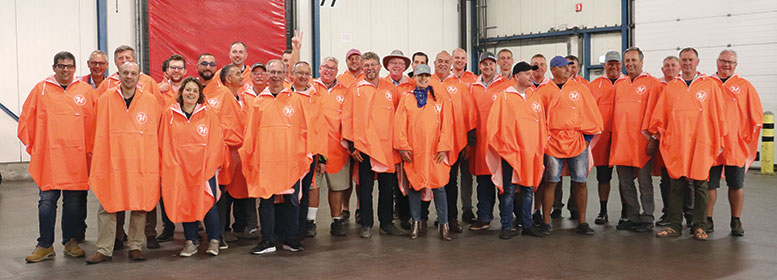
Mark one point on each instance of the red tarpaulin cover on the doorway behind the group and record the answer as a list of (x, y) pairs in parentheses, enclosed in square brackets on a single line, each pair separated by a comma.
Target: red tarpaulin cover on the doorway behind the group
[(194, 27)]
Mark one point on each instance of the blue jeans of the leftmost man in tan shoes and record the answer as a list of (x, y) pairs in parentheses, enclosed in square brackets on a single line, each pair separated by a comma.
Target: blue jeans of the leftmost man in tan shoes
[(72, 218)]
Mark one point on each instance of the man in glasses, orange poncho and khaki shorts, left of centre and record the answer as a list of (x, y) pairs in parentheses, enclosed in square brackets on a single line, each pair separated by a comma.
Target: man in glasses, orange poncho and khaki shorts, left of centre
[(337, 177)]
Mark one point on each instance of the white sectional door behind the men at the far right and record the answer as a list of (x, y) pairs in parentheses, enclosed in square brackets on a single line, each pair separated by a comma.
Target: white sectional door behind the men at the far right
[(748, 27)]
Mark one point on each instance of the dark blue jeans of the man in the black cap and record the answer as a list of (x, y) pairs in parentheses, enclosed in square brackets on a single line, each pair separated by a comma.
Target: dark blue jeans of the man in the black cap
[(507, 200)]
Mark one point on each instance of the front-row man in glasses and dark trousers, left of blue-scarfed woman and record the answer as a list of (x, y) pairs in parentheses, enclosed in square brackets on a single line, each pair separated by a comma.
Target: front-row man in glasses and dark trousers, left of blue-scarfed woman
[(368, 119)]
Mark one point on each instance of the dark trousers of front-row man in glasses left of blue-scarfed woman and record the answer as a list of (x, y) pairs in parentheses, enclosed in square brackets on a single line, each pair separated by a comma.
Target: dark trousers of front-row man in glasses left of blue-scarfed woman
[(386, 183)]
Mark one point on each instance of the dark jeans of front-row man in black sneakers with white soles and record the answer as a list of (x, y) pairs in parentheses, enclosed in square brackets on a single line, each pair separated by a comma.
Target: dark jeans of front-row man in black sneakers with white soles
[(288, 216)]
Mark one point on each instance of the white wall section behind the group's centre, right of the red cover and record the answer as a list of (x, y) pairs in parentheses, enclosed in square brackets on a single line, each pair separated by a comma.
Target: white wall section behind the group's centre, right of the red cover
[(382, 26)]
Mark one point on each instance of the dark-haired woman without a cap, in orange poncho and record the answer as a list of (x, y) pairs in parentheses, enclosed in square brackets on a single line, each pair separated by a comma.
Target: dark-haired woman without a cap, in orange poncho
[(192, 150)]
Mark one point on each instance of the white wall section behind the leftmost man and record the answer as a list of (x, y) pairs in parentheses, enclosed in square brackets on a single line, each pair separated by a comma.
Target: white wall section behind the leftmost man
[(33, 31)]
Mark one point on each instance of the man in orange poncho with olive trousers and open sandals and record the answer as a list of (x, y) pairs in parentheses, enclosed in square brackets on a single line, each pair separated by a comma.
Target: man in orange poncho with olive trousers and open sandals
[(689, 122)]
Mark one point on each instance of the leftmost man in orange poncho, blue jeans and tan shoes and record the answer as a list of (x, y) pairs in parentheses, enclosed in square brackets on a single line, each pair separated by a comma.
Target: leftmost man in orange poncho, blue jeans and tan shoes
[(57, 126)]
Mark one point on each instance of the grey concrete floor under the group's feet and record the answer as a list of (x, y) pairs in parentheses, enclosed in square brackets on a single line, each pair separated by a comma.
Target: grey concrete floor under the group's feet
[(564, 254)]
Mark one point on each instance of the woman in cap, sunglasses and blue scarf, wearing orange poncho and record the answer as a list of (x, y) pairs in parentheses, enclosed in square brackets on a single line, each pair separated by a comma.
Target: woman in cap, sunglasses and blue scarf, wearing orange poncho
[(423, 135)]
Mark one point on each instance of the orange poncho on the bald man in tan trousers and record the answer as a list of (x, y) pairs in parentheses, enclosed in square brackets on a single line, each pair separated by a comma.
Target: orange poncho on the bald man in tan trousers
[(125, 162)]
